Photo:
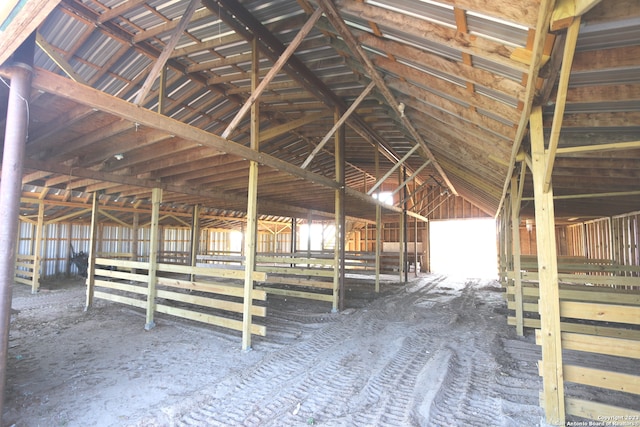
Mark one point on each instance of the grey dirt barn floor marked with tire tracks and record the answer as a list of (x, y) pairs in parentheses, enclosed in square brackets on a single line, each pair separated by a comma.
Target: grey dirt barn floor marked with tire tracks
[(434, 352)]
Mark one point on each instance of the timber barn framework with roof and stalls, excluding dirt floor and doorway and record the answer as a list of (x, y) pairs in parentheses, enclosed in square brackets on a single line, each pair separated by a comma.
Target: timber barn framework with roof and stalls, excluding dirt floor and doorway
[(183, 151)]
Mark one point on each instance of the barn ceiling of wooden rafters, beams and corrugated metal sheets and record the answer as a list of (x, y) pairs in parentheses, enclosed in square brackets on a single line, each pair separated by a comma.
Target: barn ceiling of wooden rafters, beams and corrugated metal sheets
[(131, 95)]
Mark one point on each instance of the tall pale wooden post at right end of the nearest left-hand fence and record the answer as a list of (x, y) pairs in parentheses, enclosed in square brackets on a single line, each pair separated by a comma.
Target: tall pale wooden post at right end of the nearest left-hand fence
[(252, 206)]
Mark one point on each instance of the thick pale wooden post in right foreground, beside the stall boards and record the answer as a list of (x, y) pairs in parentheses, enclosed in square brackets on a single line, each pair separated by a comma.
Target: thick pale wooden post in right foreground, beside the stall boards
[(549, 304)]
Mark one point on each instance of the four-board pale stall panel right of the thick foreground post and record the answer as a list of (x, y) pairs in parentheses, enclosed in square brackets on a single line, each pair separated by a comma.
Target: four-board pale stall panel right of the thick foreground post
[(619, 339)]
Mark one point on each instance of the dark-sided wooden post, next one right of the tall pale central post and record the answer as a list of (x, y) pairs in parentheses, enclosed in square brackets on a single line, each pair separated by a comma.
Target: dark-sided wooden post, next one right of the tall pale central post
[(339, 252)]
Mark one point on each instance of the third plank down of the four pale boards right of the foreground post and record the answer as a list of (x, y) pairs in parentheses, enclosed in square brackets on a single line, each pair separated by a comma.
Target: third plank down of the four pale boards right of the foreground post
[(602, 379)]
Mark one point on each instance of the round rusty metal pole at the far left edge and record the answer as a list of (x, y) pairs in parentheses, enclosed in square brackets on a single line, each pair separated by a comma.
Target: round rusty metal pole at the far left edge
[(11, 188)]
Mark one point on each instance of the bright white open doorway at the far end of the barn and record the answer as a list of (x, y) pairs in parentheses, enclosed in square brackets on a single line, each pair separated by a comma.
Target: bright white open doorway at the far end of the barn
[(464, 248)]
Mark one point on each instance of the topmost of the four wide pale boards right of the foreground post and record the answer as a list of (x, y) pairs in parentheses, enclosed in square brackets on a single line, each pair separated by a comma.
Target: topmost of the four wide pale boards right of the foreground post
[(600, 312)]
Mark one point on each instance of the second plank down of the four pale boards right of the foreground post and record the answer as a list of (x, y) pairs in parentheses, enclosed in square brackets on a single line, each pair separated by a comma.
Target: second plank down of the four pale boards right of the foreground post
[(597, 344)]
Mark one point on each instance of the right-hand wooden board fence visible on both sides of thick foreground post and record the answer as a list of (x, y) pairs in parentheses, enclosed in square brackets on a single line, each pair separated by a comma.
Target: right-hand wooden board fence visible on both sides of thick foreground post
[(600, 315)]
